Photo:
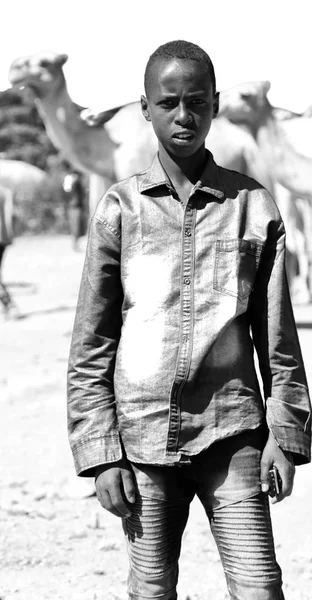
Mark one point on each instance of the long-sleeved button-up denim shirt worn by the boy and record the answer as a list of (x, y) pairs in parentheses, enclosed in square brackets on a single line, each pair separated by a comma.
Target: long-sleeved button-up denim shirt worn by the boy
[(173, 301)]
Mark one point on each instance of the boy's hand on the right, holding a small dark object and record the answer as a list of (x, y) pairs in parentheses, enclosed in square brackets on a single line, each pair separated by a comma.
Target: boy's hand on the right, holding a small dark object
[(283, 461)]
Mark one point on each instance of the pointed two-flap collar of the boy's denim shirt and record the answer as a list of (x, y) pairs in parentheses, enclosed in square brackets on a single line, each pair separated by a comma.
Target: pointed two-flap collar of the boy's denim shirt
[(209, 181)]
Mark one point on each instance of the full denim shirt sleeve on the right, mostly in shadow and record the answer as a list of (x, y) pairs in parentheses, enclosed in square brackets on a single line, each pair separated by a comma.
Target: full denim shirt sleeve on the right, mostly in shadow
[(288, 406)]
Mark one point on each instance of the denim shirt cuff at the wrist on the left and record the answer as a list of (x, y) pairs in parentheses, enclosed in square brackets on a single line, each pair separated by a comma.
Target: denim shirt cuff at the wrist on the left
[(91, 453)]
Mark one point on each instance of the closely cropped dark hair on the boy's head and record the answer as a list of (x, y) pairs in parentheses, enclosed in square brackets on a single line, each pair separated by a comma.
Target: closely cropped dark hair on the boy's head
[(179, 49)]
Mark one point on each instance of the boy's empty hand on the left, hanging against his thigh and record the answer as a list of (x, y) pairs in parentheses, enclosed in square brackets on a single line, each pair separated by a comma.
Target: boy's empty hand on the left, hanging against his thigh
[(114, 486)]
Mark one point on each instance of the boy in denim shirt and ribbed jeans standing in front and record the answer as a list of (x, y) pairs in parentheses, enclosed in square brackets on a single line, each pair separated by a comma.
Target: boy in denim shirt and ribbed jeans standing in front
[(184, 276)]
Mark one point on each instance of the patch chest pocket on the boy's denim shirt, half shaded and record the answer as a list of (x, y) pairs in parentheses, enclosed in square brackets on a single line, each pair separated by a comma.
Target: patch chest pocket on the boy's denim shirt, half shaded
[(236, 266)]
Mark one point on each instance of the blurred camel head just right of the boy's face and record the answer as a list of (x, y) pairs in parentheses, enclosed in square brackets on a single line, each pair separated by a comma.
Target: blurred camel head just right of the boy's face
[(245, 103)]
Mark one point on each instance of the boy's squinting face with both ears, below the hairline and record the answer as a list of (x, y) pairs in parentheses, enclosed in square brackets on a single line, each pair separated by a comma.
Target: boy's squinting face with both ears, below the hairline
[(181, 104)]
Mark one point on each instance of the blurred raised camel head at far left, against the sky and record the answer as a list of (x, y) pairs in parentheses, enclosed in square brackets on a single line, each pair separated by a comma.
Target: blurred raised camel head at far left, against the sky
[(42, 72)]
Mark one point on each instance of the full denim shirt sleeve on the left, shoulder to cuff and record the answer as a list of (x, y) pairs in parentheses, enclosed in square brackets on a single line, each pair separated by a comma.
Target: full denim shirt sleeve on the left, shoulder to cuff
[(92, 421)]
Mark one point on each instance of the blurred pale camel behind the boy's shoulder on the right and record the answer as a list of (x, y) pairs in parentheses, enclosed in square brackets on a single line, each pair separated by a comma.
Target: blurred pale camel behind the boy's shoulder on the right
[(284, 140)]
